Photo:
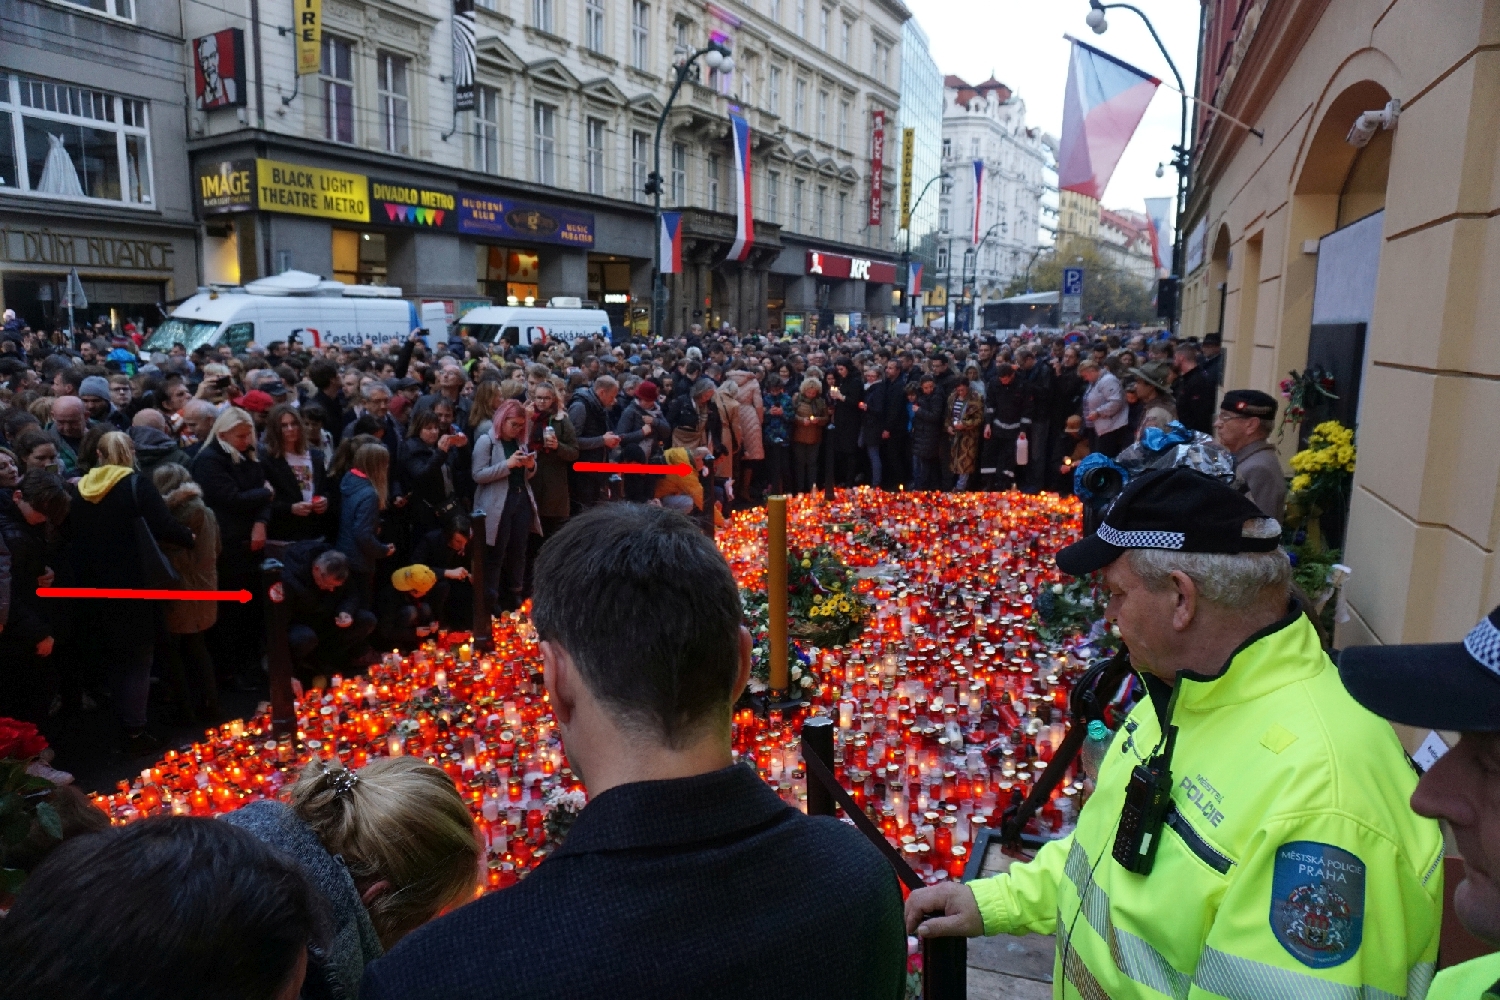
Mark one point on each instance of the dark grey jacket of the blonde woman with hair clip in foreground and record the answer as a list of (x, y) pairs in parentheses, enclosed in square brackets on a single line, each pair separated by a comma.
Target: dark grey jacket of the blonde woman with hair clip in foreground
[(352, 942)]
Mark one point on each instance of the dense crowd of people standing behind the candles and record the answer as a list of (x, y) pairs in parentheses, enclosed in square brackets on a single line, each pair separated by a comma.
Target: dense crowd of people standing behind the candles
[(359, 472)]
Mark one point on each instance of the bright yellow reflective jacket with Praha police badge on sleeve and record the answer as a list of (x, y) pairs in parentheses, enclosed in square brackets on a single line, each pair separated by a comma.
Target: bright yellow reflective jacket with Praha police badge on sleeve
[(1279, 777)]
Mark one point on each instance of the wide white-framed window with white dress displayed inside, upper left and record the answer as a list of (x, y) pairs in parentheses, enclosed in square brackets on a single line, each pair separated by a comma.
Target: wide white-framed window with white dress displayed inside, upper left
[(73, 143)]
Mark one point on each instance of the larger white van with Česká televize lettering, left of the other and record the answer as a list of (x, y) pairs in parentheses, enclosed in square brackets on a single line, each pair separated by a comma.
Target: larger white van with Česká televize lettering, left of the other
[(295, 304)]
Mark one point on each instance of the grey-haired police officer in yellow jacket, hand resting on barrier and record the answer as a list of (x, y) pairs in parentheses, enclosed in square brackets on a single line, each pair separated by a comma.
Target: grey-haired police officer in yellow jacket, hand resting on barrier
[(1286, 864)]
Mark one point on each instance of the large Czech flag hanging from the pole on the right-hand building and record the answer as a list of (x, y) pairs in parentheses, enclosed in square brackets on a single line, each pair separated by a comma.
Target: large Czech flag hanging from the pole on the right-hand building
[(1105, 103)]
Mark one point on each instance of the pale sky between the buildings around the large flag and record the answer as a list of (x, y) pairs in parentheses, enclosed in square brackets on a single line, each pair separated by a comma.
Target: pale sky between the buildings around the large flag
[(1022, 43)]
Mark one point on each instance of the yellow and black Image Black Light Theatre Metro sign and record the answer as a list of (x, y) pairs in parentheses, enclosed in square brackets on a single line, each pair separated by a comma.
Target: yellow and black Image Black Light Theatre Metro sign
[(278, 187)]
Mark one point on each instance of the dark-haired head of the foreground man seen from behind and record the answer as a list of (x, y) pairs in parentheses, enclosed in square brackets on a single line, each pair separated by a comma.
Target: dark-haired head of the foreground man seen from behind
[(641, 635)]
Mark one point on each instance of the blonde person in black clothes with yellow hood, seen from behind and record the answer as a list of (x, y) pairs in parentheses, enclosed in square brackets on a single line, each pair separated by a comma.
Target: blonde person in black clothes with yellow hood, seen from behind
[(104, 554)]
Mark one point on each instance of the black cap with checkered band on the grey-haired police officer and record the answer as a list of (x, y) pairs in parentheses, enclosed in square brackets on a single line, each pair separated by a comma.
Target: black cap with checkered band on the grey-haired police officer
[(1178, 510)]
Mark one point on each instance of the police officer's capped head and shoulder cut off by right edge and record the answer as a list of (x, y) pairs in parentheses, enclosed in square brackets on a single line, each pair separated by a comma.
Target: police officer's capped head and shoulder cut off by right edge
[(1451, 687)]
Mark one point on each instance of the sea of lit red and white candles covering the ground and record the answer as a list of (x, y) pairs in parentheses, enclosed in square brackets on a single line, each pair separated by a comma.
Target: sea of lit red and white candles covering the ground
[(947, 707)]
